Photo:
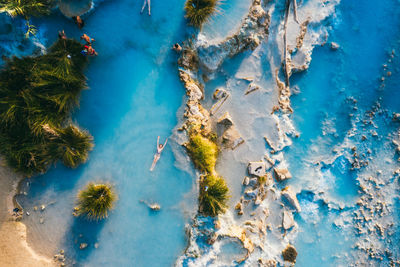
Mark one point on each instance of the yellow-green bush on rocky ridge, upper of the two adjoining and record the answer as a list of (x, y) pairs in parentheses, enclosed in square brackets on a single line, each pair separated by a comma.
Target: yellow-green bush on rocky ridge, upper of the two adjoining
[(203, 152)]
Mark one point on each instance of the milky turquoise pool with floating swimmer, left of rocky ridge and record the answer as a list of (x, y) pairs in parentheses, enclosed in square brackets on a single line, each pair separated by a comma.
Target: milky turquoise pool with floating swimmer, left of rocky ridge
[(134, 95)]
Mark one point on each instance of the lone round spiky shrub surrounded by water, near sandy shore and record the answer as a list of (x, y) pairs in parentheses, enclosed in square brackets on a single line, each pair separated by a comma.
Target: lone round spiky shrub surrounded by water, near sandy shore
[(95, 201)]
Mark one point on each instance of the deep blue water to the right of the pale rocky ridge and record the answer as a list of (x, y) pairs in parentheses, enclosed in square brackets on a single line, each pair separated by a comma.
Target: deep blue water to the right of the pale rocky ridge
[(367, 32)]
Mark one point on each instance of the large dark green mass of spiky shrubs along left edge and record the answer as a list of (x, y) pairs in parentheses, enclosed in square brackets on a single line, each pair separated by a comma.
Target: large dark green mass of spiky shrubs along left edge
[(37, 95)]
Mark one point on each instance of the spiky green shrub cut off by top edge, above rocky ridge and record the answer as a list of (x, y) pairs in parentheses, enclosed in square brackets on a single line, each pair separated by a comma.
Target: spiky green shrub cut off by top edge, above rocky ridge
[(199, 11)]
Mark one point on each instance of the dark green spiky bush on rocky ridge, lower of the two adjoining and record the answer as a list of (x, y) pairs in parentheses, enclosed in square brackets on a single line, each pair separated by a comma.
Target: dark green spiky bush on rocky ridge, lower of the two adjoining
[(213, 195)]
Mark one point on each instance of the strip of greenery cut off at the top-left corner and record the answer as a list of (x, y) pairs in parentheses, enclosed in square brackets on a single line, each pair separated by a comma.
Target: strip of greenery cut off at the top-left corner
[(26, 8)]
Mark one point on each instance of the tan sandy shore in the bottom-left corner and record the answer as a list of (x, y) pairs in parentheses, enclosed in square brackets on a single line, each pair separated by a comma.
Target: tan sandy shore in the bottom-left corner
[(14, 249)]
